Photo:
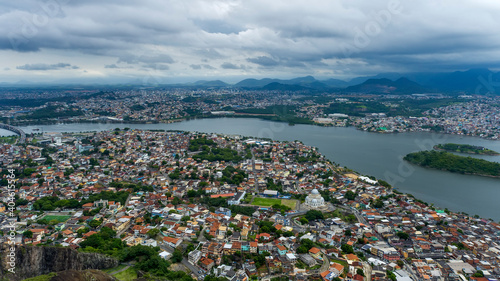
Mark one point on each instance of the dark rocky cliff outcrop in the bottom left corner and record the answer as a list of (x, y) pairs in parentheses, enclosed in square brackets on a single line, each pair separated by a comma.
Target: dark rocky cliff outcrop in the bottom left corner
[(33, 261)]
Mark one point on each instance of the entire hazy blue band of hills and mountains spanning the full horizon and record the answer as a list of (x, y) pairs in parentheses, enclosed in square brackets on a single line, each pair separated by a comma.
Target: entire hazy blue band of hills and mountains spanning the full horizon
[(472, 81)]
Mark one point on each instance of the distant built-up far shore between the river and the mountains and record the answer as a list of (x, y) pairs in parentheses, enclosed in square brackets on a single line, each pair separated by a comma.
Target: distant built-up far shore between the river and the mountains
[(451, 114)]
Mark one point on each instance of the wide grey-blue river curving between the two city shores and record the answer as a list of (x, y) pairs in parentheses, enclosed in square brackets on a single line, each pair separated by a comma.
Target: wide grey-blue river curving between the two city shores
[(379, 155)]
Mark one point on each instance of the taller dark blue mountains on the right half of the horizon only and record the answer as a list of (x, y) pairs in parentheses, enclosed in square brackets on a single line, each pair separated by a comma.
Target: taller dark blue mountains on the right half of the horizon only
[(473, 81)]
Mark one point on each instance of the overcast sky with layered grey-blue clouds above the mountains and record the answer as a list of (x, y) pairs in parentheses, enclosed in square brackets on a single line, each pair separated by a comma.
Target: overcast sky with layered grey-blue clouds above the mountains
[(163, 41)]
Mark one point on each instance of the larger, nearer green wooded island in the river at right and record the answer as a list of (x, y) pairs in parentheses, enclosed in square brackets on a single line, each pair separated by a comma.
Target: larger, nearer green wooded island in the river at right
[(454, 163)]
